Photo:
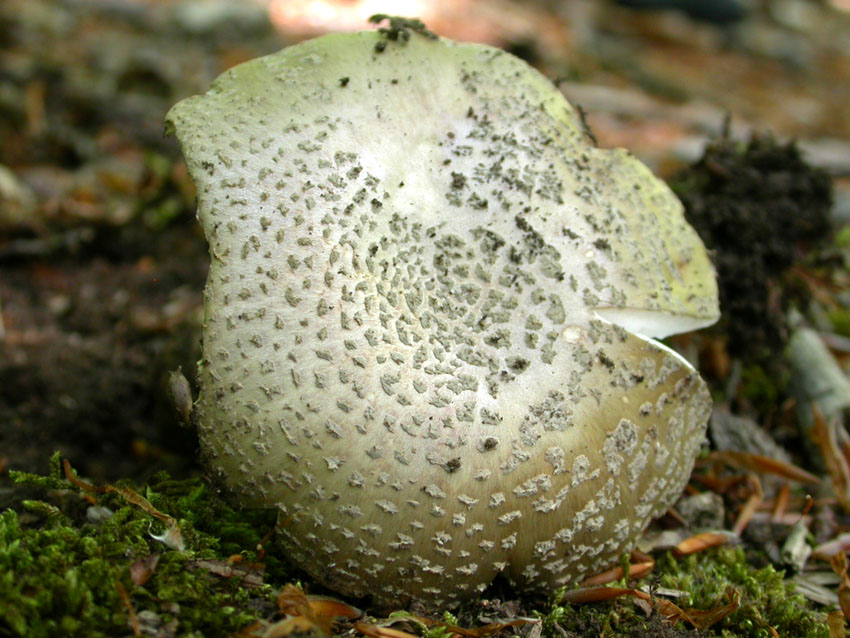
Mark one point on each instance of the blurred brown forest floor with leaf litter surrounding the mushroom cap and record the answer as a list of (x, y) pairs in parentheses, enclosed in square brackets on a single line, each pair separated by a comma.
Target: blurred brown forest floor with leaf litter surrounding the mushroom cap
[(102, 266)]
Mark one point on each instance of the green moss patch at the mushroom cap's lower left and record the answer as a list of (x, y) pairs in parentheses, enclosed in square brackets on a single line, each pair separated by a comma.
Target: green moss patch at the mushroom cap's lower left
[(60, 574)]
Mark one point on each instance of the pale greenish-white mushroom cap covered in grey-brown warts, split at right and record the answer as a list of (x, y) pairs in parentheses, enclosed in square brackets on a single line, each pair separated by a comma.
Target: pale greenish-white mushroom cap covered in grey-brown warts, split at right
[(429, 318)]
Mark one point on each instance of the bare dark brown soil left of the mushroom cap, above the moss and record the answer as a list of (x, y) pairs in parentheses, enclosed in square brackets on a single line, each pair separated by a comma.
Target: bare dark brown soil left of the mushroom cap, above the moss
[(95, 338)]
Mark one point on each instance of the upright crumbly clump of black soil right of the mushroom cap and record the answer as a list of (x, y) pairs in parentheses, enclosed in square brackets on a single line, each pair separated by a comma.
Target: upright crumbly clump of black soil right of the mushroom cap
[(756, 208)]
